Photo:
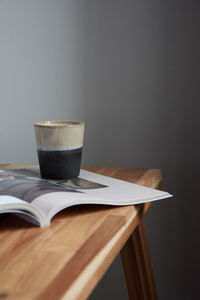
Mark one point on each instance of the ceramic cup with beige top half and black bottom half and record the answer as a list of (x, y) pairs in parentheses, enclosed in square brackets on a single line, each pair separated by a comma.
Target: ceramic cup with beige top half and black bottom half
[(59, 148)]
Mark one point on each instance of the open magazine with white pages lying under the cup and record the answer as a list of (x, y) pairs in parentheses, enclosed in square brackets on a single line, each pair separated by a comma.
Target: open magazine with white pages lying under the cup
[(24, 193)]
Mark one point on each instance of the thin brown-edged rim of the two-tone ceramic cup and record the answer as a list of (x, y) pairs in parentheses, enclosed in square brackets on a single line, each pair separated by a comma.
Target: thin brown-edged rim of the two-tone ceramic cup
[(52, 123)]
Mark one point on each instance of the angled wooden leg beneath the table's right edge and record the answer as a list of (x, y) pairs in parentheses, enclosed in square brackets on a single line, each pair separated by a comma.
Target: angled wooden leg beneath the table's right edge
[(137, 266)]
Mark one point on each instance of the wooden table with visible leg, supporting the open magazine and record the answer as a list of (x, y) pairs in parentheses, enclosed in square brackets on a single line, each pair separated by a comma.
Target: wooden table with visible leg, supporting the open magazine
[(67, 259)]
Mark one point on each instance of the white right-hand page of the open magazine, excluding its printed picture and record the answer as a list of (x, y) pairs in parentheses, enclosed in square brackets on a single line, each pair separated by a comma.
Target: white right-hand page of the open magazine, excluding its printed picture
[(117, 192)]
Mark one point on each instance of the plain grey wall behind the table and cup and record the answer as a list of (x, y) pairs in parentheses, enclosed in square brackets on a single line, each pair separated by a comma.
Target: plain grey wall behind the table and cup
[(130, 69)]
